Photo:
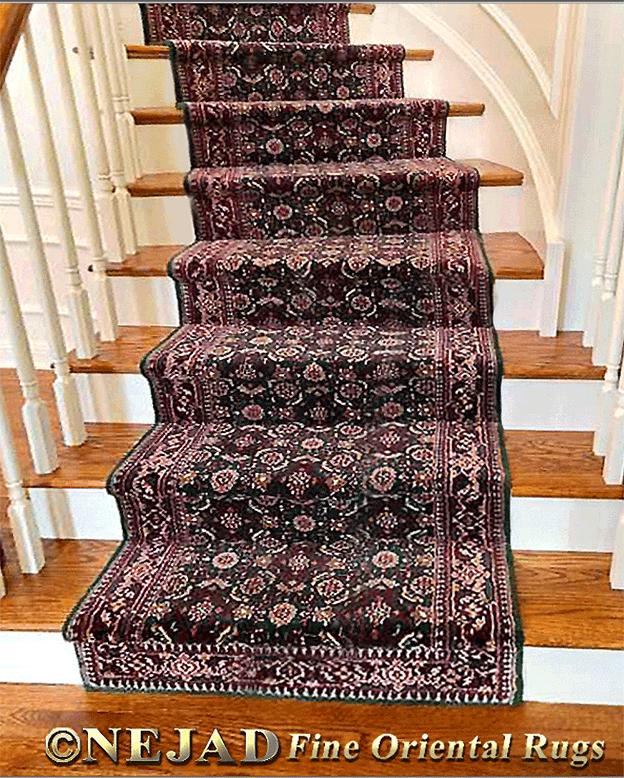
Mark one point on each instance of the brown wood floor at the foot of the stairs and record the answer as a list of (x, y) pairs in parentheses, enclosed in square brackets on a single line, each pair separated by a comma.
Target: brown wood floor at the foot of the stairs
[(28, 713)]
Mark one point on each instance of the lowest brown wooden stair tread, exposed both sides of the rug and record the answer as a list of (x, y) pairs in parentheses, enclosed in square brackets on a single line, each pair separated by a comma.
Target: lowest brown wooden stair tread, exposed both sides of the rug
[(565, 598)]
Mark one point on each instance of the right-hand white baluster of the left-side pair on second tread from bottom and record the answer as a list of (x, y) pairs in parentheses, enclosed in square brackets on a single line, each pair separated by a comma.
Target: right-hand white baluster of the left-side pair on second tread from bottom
[(67, 401)]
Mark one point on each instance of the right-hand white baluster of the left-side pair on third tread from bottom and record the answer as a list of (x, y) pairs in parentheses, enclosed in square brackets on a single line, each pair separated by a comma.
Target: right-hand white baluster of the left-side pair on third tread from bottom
[(104, 302)]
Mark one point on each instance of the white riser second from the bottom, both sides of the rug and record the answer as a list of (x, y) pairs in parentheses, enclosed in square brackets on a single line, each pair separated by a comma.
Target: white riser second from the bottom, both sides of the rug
[(537, 523)]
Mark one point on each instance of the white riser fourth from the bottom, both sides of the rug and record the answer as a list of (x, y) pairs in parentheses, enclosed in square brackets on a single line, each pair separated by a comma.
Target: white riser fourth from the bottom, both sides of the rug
[(144, 301)]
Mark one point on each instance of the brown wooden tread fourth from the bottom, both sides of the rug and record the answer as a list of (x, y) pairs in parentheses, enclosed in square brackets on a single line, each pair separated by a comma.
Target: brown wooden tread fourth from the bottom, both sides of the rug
[(511, 256)]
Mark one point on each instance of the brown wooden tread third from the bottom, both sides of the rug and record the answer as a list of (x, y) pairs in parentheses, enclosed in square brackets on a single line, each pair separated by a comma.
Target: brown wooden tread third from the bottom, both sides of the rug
[(525, 354)]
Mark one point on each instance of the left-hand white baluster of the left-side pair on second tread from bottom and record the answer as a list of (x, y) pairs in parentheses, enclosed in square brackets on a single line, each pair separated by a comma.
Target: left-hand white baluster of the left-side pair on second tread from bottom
[(34, 410)]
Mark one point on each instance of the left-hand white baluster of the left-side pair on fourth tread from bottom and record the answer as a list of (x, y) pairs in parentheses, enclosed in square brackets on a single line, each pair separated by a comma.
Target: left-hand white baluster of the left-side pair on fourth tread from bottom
[(108, 205)]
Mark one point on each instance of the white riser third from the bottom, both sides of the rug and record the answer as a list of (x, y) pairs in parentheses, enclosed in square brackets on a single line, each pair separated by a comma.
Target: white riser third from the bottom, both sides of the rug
[(528, 404)]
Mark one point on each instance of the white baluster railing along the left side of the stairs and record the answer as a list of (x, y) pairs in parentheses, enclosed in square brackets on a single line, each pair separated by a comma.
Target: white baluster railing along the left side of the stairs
[(102, 96)]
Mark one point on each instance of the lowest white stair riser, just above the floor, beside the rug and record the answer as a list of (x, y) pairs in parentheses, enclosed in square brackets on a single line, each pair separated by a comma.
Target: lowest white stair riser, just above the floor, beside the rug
[(577, 676)]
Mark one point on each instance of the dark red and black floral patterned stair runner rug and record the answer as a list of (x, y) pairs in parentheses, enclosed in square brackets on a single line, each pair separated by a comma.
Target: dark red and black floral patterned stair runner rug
[(321, 509)]
